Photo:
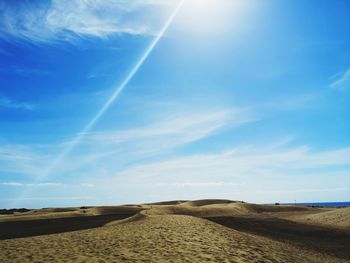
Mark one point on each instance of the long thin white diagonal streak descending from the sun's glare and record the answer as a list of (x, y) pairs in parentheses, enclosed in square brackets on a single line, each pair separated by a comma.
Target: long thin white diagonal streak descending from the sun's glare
[(114, 96)]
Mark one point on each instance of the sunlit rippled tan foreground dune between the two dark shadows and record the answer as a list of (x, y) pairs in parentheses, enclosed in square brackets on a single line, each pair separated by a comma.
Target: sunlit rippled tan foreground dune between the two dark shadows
[(161, 238)]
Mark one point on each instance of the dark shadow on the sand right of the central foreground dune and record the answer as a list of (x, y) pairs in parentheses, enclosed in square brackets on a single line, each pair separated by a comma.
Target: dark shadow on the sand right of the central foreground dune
[(318, 238)]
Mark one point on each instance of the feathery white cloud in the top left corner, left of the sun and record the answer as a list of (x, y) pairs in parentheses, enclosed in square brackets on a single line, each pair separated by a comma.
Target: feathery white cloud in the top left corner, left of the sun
[(56, 20)]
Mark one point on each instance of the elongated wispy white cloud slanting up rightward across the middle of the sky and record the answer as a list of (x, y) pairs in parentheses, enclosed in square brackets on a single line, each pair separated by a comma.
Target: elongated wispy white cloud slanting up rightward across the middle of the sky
[(163, 136)]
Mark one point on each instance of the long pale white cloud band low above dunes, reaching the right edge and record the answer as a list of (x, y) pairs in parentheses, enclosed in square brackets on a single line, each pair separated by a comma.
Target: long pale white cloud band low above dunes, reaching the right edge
[(240, 165)]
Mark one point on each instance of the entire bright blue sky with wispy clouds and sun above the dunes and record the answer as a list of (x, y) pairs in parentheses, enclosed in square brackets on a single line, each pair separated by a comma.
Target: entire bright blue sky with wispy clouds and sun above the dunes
[(112, 102)]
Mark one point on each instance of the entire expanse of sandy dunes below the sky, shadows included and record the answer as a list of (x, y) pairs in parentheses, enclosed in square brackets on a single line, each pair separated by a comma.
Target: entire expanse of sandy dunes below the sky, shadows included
[(177, 231)]
